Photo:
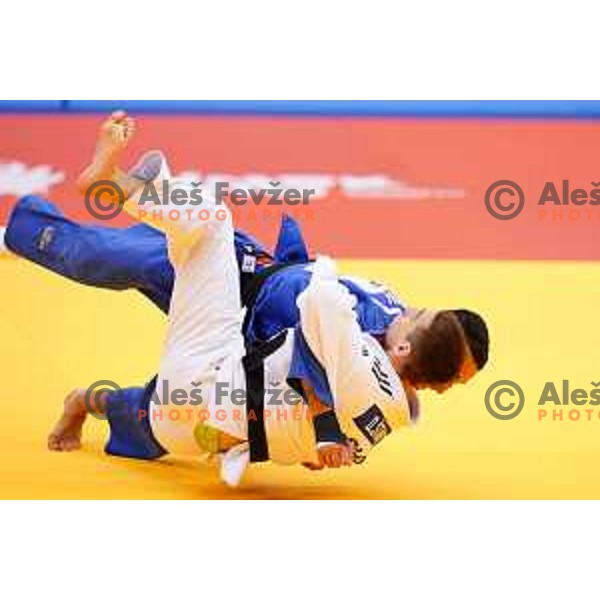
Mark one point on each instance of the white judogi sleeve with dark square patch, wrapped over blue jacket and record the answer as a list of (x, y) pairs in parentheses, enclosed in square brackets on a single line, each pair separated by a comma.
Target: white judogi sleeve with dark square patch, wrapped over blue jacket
[(369, 399)]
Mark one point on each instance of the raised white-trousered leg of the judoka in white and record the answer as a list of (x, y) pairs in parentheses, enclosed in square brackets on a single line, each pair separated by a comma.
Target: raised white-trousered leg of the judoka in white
[(204, 344)]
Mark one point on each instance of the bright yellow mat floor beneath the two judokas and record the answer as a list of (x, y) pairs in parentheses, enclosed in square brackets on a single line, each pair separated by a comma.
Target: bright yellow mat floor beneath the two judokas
[(55, 335)]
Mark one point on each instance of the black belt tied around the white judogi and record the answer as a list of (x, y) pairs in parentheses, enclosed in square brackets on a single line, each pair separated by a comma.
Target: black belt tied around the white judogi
[(254, 368)]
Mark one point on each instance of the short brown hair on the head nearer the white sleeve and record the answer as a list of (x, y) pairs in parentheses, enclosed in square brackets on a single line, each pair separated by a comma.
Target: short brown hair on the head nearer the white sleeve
[(438, 351)]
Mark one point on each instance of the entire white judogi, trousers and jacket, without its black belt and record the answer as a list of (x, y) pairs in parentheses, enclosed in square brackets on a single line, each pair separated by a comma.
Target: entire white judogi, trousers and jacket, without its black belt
[(204, 345)]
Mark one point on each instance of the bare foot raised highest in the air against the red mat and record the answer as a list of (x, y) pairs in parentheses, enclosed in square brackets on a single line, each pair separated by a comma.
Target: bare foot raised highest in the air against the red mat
[(114, 136)]
